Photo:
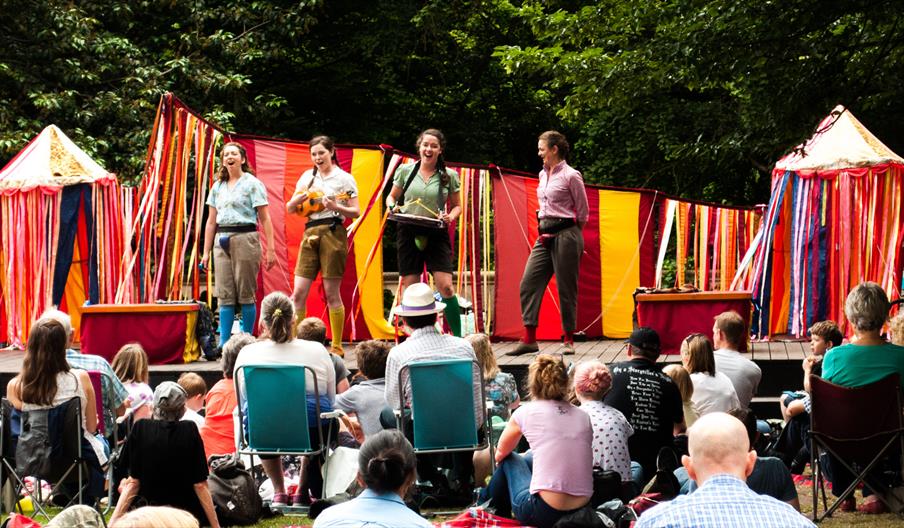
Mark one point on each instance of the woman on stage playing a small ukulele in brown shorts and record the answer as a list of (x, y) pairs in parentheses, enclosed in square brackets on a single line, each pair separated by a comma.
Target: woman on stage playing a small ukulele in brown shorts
[(328, 196)]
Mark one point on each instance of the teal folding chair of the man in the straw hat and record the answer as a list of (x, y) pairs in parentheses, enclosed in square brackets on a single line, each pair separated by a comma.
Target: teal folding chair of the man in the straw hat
[(442, 405)]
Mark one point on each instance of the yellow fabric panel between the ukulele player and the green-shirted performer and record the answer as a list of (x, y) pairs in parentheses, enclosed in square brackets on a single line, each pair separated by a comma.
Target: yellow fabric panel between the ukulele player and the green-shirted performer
[(367, 166)]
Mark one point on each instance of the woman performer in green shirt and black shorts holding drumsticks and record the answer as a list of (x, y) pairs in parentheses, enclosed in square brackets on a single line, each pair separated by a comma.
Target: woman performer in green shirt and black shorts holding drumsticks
[(418, 199)]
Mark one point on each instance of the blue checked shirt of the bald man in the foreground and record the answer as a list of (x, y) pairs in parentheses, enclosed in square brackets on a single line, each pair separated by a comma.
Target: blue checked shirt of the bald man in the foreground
[(724, 501)]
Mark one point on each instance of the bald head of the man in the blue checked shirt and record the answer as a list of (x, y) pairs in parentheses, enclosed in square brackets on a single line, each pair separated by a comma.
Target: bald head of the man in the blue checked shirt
[(718, 443)]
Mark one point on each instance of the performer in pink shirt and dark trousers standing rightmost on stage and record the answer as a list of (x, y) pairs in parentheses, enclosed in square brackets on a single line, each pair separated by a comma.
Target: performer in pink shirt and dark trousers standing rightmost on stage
[(563, 213)]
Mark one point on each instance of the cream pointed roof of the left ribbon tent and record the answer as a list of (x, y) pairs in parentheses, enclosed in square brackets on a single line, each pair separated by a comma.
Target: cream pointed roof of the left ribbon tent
[(51, 160)]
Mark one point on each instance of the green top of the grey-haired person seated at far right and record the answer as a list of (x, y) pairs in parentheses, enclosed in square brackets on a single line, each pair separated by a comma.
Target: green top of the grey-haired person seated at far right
[(855, 366)]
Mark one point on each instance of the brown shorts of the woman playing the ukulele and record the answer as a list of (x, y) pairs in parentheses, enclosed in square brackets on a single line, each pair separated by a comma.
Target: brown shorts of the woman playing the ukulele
[(323, 248)]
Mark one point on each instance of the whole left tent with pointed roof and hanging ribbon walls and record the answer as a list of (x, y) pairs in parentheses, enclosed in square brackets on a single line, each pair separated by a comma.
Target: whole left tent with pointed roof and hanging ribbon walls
[(50, 194)]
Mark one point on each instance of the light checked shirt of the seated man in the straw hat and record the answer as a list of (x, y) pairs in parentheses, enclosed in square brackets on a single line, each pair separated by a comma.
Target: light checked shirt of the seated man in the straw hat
[(427, 344)]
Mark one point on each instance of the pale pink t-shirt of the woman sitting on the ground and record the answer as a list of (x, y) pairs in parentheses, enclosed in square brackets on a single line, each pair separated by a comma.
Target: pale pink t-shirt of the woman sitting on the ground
[(560, 436)]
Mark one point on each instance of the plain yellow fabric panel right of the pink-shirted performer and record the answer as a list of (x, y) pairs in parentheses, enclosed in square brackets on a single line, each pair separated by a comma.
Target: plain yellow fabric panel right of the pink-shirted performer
[(619, 260)]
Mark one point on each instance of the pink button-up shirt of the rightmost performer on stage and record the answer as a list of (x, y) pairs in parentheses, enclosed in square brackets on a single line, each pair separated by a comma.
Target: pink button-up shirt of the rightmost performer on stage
[(561, 194)]
